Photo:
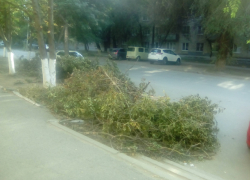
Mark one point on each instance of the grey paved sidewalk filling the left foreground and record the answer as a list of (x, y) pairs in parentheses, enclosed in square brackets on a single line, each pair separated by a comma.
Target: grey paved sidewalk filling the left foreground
[(32, 149)]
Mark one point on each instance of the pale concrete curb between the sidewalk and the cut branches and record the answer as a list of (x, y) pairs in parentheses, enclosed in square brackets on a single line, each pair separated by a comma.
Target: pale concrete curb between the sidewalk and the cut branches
[(168, 170)]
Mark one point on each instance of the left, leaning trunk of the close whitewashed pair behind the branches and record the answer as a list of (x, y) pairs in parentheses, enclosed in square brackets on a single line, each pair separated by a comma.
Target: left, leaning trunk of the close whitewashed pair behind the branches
[(42, 50)]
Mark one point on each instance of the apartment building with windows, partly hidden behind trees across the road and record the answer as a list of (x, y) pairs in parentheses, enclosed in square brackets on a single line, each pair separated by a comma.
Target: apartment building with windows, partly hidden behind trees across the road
[(192, 41)]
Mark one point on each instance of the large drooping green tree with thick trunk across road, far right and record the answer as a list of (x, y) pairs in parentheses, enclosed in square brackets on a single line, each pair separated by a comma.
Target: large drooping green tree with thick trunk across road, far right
[(223, 21)]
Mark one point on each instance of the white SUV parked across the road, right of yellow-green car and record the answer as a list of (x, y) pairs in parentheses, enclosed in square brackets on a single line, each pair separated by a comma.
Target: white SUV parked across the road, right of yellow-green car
[(163, 55)]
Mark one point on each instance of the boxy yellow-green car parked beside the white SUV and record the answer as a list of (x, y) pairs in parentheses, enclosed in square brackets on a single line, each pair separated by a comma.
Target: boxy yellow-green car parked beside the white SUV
[(137, 53)]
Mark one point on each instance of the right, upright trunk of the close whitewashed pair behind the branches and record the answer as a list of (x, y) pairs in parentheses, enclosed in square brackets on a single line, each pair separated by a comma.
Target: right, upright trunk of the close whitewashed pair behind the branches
[(52, 54)]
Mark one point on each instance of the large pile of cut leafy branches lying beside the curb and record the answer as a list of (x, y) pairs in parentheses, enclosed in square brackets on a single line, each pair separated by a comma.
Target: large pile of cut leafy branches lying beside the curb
[(130, 118)]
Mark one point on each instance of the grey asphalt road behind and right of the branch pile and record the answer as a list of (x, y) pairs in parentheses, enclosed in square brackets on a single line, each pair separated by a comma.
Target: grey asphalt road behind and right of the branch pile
[(233, 160)]
